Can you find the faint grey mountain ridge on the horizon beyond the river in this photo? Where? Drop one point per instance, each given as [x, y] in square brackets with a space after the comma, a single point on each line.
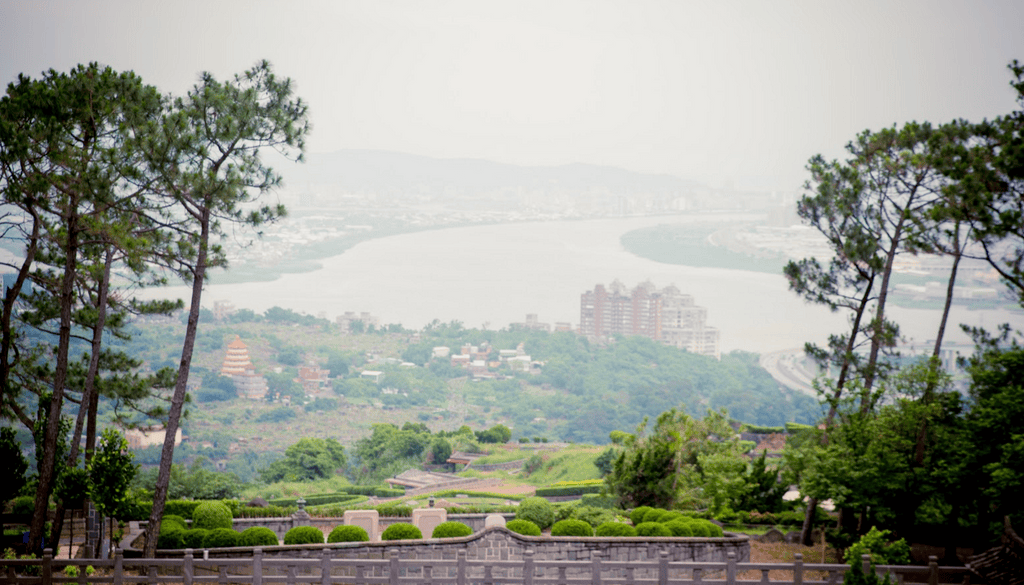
[382, 171]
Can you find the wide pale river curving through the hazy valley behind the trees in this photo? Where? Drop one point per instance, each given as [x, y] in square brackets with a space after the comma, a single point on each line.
[495, 275]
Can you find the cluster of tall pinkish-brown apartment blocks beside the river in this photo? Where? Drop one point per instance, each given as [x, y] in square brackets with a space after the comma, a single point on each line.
[667, 316]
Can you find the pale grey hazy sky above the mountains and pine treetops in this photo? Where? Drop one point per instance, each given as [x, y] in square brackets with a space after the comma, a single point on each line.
[715, 92]
